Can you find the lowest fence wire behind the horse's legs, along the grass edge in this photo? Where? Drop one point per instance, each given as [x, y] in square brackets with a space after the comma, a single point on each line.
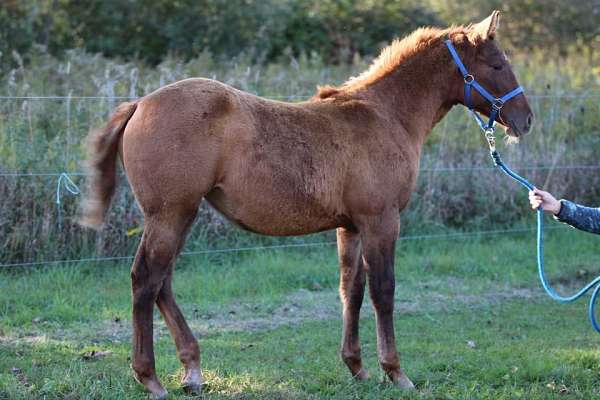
[441, 236]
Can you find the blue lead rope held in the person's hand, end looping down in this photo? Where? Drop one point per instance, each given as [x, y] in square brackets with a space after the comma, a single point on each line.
[540, 251]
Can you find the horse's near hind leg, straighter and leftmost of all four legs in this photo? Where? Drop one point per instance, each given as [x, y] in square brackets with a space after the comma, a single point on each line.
[162, 239]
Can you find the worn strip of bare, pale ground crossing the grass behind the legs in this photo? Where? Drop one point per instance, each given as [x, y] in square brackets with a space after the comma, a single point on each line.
[301, 306]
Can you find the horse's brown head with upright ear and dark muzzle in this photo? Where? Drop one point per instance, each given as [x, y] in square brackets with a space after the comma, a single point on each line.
[488, 64]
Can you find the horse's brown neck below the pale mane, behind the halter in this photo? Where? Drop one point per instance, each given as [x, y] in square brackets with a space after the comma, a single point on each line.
[416, 95]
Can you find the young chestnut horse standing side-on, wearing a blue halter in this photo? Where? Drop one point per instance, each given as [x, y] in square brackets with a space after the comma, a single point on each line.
[346, 159]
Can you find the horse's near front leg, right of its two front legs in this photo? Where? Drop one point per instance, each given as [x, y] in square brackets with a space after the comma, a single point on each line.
[378, 238]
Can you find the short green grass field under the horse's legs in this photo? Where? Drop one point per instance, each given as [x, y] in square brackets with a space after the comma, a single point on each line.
[471, 319]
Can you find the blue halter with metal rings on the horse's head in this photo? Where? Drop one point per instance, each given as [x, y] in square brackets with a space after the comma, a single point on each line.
[470, 83]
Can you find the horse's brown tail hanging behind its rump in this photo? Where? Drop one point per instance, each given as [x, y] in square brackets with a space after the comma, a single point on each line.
[102, 152]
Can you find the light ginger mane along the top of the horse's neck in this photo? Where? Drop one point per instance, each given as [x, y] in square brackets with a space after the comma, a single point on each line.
[390, 58]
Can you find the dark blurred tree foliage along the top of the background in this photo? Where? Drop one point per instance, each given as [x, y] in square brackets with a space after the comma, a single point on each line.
[266, 30]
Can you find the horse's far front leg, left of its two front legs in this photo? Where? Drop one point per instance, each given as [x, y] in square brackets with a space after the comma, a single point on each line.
[352, 289]
